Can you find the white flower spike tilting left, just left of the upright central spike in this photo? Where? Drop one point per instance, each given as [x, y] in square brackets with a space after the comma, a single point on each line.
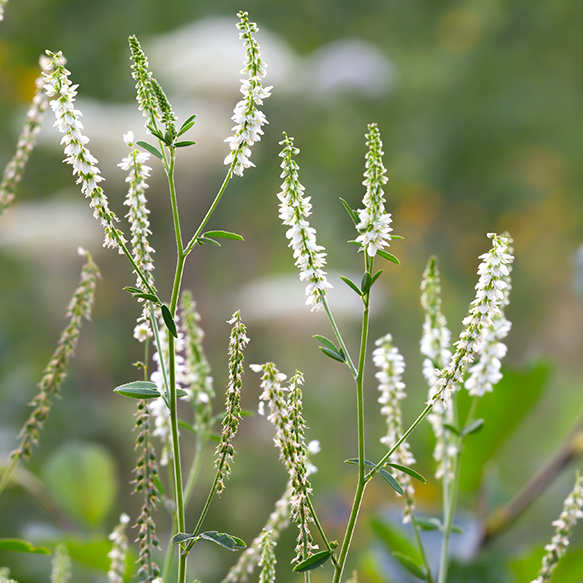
[293, 210]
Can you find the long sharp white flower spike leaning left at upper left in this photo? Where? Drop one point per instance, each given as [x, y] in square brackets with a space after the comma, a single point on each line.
[59, 88]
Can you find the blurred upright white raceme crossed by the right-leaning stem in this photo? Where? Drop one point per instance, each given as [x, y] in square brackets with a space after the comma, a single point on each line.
[435, 347]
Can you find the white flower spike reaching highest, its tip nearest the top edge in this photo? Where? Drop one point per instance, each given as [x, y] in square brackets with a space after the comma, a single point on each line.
[248, 119]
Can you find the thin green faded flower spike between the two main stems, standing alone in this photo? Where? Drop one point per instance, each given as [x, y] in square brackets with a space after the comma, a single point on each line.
[225, 450]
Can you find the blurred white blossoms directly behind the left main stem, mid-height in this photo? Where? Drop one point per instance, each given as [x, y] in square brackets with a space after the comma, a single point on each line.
[158, 407]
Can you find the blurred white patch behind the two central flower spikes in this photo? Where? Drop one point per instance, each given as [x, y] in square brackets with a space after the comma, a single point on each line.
[283, 296]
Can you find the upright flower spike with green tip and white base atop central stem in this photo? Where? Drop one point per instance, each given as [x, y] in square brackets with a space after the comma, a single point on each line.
[375, 222]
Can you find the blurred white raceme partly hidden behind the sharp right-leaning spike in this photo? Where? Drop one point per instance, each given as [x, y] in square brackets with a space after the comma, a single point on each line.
[486, 372]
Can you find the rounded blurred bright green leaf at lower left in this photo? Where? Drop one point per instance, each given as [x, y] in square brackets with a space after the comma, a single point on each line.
[83, 479]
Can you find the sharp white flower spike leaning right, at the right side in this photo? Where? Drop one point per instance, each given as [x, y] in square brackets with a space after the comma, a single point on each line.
[489, 296]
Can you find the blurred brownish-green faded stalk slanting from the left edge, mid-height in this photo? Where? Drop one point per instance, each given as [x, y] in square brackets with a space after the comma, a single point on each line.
[54, 374]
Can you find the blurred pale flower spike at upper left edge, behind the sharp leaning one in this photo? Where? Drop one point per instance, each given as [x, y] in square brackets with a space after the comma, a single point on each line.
[26, 142]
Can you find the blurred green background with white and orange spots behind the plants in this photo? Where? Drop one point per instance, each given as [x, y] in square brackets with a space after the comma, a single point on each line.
[479, 107]
